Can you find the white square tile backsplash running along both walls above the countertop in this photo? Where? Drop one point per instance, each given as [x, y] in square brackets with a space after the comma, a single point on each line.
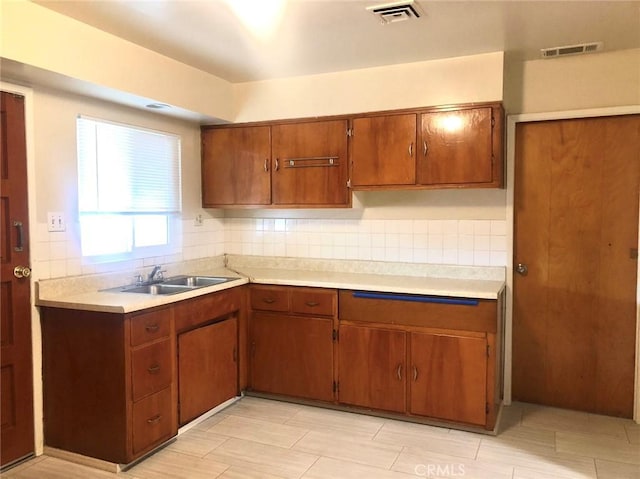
[452, 242]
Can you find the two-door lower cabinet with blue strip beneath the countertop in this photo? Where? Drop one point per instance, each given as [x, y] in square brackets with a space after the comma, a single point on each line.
[396, 355]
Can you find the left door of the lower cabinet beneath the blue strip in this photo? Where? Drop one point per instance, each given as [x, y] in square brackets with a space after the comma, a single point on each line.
[372, 368]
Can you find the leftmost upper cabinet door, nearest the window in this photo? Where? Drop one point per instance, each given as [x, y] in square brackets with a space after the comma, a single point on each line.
[236, 166]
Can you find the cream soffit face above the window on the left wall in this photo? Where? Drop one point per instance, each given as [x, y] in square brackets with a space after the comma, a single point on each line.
[40, 38]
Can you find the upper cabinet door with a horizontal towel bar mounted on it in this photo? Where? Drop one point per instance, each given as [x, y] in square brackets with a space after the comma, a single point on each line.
[310, 164]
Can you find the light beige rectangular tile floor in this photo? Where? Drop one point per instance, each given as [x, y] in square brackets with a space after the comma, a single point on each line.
[259, 438]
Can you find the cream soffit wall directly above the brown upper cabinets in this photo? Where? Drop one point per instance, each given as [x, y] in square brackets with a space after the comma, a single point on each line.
[438, 82]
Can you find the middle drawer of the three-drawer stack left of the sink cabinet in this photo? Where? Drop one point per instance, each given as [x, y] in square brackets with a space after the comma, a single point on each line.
[151, 368]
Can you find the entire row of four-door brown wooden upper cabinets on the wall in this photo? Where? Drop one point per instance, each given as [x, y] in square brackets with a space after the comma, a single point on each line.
[310, 163]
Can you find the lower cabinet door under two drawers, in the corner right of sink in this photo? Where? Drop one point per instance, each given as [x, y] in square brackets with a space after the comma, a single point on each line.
[292, 356]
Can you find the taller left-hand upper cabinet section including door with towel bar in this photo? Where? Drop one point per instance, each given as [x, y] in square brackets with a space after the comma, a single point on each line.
[301, 164]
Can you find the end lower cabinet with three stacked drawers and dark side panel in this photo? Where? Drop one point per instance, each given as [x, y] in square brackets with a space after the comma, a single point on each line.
[109, 382]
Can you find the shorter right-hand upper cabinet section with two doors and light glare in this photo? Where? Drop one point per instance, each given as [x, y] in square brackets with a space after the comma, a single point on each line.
[453, 147]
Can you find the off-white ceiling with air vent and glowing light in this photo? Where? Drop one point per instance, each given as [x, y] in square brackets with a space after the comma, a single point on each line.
[318, 36]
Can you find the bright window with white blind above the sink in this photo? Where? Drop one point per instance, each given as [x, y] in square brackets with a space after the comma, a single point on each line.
[129, 194]
